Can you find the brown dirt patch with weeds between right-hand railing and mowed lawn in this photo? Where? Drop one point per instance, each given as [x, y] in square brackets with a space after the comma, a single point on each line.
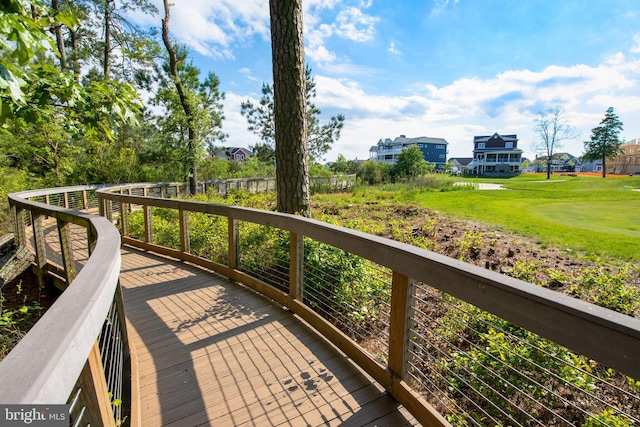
[484, 245]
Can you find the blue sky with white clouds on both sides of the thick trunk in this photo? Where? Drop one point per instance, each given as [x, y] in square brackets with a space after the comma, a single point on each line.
[440, 68]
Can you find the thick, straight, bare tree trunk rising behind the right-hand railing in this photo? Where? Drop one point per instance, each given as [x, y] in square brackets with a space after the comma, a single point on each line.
[292, 170]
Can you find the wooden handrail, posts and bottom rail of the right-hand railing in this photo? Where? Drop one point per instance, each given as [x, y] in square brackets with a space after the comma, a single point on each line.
[580, 326]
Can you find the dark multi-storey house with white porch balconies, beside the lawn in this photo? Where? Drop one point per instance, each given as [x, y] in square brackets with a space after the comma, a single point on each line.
[496, 155]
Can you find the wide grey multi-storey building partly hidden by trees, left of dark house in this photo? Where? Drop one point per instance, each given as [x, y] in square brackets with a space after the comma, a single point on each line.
[434, 150]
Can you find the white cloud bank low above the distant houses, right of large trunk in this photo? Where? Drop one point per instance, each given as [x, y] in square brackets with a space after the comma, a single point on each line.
[506, 103]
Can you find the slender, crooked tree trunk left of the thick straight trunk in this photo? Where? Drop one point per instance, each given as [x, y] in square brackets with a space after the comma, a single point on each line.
[186, 106]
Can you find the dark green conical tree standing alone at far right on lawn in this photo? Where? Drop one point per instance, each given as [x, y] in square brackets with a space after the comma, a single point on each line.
[605, 140]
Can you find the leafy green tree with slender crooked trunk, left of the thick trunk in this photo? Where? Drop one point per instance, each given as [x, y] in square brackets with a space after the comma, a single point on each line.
[194, 108]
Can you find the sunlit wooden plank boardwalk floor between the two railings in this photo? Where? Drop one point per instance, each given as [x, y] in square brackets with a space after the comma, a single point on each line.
[211, 352]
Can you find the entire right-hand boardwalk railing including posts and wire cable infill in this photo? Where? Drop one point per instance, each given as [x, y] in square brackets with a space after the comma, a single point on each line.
[396, 353]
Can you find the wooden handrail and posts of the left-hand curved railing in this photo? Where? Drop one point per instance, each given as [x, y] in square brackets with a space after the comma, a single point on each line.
[46, 365]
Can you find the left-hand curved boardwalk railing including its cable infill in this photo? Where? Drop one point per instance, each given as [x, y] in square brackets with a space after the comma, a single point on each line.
[63, 358]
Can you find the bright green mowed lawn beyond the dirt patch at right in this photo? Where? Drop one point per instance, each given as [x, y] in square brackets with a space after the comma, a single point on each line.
[591, 215]
